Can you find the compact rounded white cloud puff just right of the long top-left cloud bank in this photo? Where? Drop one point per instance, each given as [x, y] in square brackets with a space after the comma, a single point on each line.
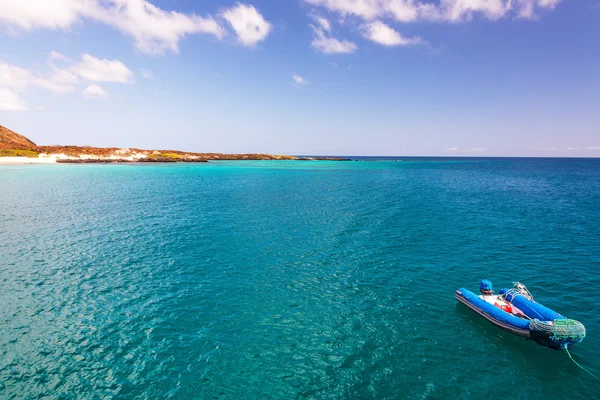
[248, 24]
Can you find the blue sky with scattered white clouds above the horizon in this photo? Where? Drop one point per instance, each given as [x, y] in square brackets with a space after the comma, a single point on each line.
[306, 77]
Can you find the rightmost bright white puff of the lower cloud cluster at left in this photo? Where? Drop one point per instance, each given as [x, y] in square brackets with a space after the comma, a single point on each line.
[102, 70]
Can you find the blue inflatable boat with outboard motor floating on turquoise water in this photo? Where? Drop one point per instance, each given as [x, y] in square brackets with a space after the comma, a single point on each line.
[515, 311]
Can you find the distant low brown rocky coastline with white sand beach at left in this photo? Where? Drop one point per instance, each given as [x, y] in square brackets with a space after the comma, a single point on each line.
[16, 148]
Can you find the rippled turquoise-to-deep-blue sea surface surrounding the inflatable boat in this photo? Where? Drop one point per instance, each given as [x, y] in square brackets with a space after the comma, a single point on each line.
[293, 280]
